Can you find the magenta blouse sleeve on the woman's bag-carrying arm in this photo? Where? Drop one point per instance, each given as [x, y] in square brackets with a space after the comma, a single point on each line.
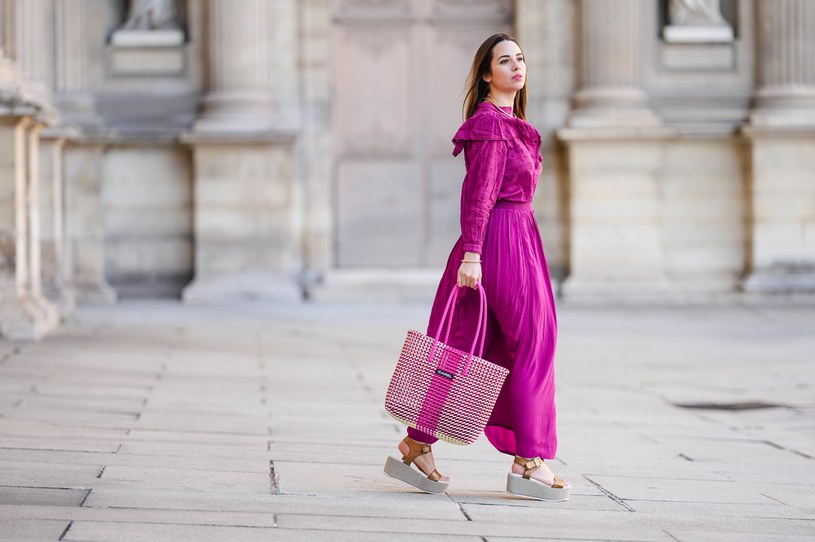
[485, 152]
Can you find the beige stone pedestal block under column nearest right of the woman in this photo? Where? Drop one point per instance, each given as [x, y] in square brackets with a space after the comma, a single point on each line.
[615, 217]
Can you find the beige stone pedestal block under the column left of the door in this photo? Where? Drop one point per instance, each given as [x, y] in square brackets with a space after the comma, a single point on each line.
[244, 224]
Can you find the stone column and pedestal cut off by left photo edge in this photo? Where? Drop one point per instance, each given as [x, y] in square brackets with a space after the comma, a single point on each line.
[24, 107]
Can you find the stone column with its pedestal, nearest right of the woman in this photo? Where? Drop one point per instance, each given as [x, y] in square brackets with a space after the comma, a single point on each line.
[614, 144]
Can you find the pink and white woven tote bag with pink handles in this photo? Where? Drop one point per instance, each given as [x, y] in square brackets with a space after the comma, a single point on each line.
[443, 391]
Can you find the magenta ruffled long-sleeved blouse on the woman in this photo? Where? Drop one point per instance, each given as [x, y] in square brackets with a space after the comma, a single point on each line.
[503, 162]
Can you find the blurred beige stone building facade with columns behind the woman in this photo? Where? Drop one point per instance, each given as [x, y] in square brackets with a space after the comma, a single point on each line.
[285, 149]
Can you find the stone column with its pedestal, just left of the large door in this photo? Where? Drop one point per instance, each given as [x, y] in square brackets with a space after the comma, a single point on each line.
[243, 148]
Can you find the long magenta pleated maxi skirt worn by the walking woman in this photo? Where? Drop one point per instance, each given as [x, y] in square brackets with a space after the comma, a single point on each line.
[521, 330]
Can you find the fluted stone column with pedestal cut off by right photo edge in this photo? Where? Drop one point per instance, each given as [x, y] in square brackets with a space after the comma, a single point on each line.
[781, 130]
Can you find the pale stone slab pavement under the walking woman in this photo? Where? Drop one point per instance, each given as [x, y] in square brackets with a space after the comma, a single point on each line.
[157, 421]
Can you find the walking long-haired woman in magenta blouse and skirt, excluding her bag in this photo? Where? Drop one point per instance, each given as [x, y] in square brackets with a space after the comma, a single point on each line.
[500, 246]
